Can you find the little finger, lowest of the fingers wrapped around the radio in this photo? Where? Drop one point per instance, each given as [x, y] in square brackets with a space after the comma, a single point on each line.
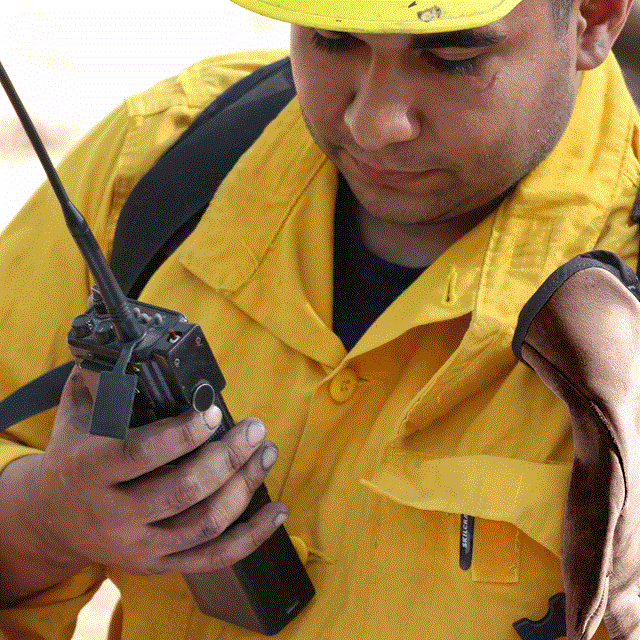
[233, 545]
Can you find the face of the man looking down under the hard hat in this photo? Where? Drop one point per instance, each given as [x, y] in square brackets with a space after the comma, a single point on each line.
[431, 127]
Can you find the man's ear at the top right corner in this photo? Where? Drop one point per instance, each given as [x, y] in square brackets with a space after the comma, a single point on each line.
[599, 23]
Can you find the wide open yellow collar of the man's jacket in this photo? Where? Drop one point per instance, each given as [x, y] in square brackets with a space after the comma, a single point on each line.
[249, 238]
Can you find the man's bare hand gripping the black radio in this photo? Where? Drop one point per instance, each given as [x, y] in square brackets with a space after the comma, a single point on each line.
[124, 503]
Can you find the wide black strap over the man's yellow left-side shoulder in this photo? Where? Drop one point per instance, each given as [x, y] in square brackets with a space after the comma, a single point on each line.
[168, 201]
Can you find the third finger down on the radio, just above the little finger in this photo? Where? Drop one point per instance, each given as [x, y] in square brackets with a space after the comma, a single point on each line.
[211, 516]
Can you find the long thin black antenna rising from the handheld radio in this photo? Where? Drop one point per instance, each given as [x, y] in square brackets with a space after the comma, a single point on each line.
[125, 325]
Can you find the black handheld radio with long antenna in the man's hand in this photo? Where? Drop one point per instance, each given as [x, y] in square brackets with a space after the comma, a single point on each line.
[153, 363]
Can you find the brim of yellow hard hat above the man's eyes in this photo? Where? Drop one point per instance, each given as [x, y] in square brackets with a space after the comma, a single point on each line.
[384, 16]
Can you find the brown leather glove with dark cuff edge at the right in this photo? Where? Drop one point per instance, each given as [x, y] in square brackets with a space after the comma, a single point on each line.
[580, 332]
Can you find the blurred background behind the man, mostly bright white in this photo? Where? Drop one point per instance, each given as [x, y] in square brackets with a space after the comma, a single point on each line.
[72, 63]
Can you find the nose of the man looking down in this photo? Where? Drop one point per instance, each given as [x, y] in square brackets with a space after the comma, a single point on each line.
[382, 109]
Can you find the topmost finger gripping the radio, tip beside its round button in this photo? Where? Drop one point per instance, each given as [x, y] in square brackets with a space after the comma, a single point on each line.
[151, 446]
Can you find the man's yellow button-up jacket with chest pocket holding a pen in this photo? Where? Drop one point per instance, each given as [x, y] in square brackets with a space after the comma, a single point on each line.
[382, 448]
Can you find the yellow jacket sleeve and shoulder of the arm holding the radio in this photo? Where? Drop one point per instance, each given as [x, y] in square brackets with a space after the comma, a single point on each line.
[44, 283]
